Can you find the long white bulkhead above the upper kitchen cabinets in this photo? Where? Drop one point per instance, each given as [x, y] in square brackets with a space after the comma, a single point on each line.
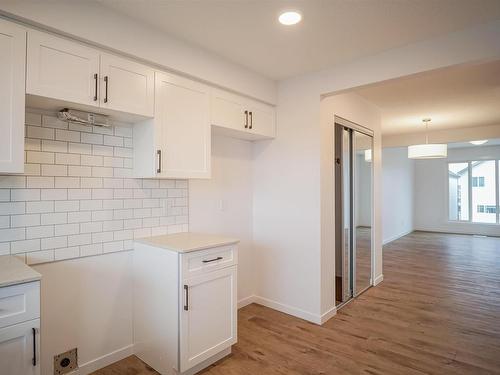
[95, 23]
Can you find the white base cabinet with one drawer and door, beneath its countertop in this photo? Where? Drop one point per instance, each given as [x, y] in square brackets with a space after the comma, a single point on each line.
[185, 307]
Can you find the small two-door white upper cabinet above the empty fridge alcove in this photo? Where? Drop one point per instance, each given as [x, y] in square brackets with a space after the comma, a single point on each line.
[240, 117]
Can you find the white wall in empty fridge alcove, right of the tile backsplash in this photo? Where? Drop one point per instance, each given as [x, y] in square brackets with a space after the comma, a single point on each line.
[223, 204]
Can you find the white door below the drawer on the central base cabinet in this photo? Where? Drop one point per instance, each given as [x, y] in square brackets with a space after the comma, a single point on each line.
[208, 316]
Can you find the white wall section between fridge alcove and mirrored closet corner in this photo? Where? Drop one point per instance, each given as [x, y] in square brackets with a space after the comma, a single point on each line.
[286, 205]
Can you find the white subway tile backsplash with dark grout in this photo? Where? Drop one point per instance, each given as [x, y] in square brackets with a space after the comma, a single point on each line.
[77, 196]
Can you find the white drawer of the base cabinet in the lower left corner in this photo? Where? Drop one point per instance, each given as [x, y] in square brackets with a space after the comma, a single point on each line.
[19, 303]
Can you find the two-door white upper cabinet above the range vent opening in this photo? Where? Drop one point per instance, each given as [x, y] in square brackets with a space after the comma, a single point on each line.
[73, 73]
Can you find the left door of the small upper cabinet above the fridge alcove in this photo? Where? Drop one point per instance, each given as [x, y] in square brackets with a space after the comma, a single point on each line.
[227, 111]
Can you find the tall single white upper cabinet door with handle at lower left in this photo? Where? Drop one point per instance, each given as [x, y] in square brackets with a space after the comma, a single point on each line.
[182, 124]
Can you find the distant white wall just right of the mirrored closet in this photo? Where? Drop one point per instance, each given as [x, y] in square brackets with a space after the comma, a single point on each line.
[398, 181]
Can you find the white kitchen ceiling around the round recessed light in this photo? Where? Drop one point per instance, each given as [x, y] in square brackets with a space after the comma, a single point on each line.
[332, 31]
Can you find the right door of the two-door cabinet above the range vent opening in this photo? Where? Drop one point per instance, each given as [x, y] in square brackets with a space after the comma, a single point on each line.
[126, 86]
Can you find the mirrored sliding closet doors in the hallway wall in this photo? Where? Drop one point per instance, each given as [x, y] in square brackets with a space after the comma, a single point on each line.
[353, 210]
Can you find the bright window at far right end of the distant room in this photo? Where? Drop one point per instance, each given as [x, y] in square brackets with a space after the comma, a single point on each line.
[473, 191]
